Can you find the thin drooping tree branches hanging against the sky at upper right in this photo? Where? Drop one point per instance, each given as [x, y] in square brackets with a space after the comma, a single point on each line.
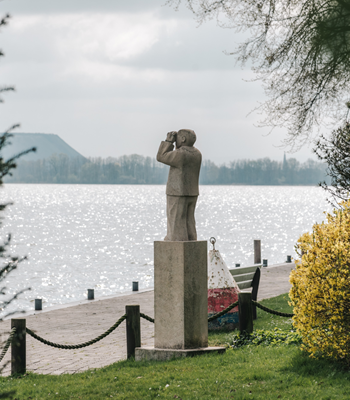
[300, 50]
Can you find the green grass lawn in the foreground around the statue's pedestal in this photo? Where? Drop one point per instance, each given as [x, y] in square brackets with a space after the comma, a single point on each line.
[250, 372]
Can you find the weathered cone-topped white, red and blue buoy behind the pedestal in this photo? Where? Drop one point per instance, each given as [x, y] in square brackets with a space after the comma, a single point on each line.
[222, 291]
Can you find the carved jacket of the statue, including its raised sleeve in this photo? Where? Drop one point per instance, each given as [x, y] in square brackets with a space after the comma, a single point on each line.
[185, 164]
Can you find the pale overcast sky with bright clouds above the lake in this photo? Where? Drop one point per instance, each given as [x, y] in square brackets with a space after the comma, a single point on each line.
[113, 77]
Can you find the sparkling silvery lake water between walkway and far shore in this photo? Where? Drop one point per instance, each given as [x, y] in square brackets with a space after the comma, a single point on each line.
[101, 236]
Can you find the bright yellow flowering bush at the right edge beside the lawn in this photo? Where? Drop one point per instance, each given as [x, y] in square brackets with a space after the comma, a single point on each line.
[320, 290]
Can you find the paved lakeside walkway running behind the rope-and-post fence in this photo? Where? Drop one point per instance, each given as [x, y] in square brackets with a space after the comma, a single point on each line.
[80, 323]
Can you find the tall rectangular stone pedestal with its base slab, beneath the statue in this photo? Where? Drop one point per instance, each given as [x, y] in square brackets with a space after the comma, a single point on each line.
[180, 302]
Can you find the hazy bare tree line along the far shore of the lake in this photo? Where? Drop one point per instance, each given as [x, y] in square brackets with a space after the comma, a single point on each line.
[136, 169]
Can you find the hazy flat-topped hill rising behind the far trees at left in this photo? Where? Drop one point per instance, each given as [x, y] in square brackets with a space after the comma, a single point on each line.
[46, 144]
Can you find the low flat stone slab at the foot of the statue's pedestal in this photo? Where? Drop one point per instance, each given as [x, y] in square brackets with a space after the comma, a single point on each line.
[151, 353]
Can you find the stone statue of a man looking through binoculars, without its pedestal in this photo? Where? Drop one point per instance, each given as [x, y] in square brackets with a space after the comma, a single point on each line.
[182, 186]
